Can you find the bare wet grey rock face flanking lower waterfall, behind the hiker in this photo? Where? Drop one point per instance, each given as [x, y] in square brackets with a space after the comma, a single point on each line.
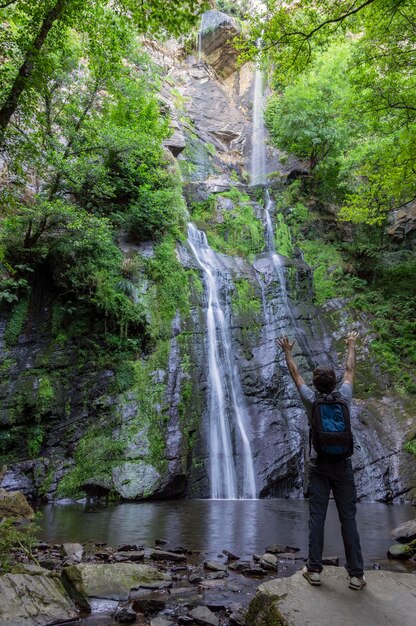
[278, 427]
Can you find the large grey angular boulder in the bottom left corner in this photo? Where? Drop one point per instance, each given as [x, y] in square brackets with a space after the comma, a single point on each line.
[38, 599]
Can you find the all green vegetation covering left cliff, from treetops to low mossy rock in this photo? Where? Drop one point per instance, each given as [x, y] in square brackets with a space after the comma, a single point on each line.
[88, 184]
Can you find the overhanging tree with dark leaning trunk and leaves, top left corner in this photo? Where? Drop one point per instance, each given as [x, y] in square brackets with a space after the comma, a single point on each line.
[45, 20]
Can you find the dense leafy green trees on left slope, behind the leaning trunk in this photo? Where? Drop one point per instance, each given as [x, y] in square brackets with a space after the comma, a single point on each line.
[92, 136]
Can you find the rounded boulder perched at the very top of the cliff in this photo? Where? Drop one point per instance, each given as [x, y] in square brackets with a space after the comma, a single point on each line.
[217, 33]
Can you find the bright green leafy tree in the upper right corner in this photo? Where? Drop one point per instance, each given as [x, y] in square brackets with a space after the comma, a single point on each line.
[379, 168]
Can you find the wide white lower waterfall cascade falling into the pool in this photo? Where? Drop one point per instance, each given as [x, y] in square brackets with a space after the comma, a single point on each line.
[228, 417]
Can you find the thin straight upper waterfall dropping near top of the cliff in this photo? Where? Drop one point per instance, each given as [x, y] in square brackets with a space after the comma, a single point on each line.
[258, 146]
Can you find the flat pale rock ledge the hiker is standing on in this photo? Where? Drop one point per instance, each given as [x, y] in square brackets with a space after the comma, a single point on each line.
[388, 598]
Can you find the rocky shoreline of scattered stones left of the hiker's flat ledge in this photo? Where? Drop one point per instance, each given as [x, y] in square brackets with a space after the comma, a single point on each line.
[145, 586]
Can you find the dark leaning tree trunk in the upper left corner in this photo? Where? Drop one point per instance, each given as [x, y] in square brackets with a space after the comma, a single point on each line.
[26, 69]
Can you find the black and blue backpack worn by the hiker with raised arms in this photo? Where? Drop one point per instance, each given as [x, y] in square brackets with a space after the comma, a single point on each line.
[330, 431]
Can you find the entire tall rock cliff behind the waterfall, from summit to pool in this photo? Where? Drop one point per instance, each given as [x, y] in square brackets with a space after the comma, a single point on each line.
[60, 394]
